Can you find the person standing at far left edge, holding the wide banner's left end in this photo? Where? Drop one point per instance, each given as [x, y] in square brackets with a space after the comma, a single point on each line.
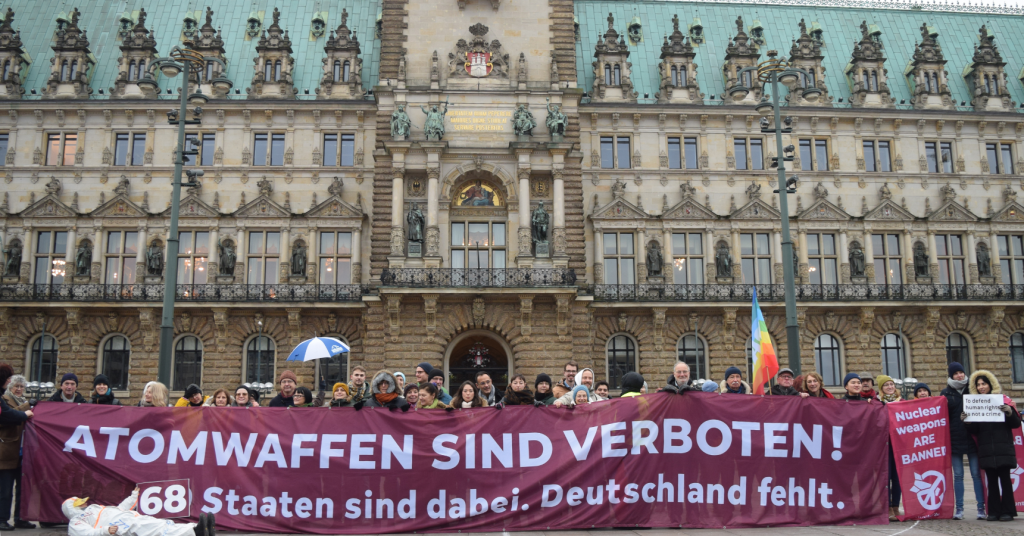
[16, 410]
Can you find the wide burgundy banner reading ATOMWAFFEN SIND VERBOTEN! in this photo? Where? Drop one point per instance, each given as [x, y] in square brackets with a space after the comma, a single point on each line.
[659, 461]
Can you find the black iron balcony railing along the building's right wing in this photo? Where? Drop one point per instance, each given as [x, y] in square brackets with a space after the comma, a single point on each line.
[771, 294]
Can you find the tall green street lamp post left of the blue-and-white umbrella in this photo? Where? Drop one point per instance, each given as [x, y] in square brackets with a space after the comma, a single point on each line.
[181, 61]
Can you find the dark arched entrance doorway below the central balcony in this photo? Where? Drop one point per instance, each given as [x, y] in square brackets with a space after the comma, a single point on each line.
[475, 352]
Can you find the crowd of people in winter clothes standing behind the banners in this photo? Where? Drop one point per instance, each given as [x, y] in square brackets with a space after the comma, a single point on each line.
[989, 446]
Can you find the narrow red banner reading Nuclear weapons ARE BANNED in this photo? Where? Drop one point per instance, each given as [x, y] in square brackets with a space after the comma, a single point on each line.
[920, 433]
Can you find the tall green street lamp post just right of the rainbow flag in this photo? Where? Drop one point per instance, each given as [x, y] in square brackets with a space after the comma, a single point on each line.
[773, 72]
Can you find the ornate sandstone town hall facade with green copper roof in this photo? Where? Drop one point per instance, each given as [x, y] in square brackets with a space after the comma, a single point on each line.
[504, 187]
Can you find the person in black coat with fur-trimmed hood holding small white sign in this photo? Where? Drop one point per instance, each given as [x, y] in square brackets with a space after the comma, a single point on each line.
[997, 453]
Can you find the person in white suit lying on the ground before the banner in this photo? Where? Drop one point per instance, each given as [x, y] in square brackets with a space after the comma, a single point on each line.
[122, 520]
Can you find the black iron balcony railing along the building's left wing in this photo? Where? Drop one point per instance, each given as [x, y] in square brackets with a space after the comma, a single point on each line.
[284, 294]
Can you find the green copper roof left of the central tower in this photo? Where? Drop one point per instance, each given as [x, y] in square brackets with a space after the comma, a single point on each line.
[36, 20]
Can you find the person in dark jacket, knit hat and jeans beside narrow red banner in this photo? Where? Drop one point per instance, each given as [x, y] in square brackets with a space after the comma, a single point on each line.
[961, 442]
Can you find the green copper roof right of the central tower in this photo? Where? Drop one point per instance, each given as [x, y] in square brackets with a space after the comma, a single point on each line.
[901, 32]
